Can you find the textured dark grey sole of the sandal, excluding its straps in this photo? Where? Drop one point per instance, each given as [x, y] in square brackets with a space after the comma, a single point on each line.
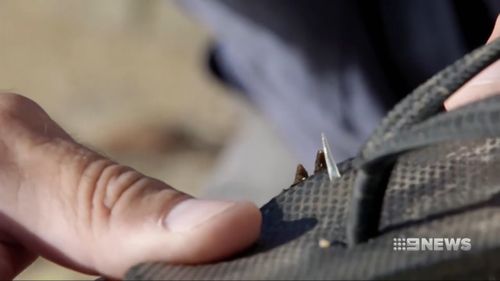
[450, 190]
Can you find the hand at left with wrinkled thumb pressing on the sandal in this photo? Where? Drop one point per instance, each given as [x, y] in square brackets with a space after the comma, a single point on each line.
[73, 206]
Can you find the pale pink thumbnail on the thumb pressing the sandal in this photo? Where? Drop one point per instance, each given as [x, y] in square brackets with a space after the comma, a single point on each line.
[191, 213]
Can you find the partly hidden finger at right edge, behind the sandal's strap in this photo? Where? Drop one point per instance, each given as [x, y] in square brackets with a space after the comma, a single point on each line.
[485, 84]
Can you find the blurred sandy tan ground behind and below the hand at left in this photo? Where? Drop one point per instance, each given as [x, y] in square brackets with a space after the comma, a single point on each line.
[124, 77]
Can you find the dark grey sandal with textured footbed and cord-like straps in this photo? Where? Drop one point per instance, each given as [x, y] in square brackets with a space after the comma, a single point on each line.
[419, 202]
